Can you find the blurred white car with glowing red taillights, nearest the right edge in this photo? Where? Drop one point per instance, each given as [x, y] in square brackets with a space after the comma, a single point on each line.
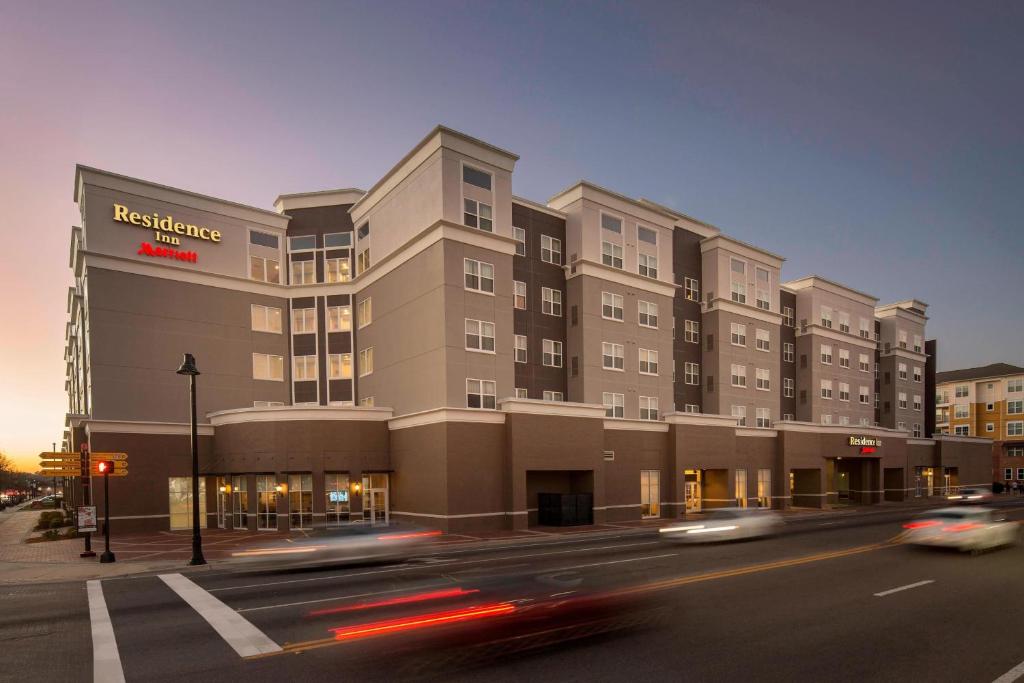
[963, 529]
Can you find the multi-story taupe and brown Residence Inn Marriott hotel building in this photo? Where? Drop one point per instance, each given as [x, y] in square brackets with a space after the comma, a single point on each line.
[439, 351]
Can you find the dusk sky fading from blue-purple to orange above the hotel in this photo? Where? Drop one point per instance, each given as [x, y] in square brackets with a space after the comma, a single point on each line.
[881, 147]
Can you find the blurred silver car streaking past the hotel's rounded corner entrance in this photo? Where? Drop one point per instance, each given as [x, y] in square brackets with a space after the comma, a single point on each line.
[350, 544]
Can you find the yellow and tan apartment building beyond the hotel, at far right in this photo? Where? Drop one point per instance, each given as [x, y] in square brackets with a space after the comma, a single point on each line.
[986, 402]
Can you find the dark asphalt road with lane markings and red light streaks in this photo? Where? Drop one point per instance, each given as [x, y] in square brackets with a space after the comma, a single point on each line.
[801, 607]
